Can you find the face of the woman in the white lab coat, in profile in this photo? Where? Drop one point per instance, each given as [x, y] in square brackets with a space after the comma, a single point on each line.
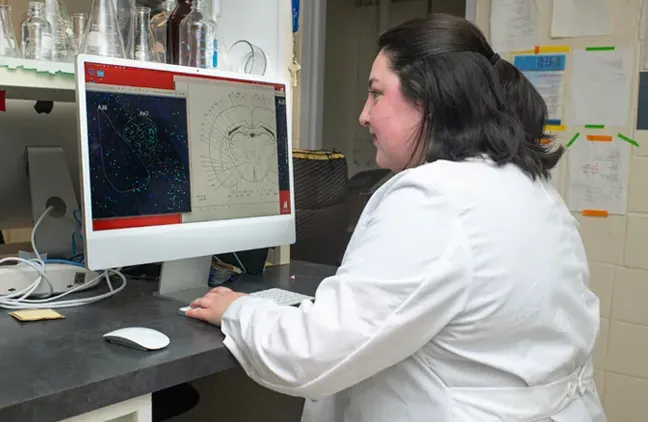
[390, 118]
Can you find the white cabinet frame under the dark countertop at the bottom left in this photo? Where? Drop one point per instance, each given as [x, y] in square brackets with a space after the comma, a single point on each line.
[133, 410]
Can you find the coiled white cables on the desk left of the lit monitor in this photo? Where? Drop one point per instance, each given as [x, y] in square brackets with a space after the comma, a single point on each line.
[18, 300]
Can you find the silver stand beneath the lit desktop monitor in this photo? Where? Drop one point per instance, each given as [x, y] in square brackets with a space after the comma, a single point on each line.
[185, 280]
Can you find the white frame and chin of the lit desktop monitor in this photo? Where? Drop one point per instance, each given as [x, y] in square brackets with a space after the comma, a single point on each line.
[186, 241]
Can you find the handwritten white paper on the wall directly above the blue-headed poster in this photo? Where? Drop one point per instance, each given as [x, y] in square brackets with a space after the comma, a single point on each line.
[514, 25]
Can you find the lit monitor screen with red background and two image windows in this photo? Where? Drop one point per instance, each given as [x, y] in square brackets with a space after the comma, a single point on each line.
[172, 148]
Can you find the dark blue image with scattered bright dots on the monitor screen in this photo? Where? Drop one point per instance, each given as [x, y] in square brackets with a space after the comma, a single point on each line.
[139, 155]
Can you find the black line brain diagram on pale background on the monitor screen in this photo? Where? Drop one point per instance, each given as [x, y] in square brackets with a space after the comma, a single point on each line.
[235, 157]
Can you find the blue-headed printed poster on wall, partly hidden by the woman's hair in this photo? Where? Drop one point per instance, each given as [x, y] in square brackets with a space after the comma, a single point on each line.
[547, 74]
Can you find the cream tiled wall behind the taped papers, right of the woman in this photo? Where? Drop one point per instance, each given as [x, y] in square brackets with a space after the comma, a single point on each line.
[617, 246]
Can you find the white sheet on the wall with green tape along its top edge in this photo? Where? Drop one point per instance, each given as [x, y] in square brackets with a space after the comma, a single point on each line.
[599, 92]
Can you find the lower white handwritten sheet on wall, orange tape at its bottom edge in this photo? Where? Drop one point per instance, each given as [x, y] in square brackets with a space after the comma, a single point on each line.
[598, 175]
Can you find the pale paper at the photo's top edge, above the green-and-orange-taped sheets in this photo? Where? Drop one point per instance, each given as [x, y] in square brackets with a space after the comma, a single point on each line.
[581, 18]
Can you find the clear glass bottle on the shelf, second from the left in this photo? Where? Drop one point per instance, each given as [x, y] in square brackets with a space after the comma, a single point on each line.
[36, 33]
